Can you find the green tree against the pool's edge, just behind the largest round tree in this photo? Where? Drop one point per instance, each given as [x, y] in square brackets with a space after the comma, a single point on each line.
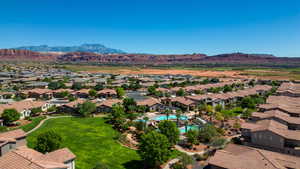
[170, 130]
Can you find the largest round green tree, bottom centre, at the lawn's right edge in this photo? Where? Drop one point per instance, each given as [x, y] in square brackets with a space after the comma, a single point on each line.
[154, 148]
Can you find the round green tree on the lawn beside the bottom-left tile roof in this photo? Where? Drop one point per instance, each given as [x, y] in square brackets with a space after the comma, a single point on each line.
[48, 141]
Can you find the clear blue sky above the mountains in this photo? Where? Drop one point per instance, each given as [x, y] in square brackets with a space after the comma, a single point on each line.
[156, 26]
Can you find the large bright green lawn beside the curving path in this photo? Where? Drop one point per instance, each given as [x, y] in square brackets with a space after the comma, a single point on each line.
[92, 141]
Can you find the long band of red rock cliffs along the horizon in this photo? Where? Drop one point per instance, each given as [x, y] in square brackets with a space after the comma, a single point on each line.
[231, 59]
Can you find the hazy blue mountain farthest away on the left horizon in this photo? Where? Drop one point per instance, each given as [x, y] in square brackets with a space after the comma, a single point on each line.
[94, 48]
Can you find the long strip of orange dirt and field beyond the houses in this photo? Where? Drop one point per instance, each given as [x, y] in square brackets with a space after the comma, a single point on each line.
[272, 74]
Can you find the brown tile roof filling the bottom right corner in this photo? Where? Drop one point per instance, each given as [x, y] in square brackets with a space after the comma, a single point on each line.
[242, 157]
